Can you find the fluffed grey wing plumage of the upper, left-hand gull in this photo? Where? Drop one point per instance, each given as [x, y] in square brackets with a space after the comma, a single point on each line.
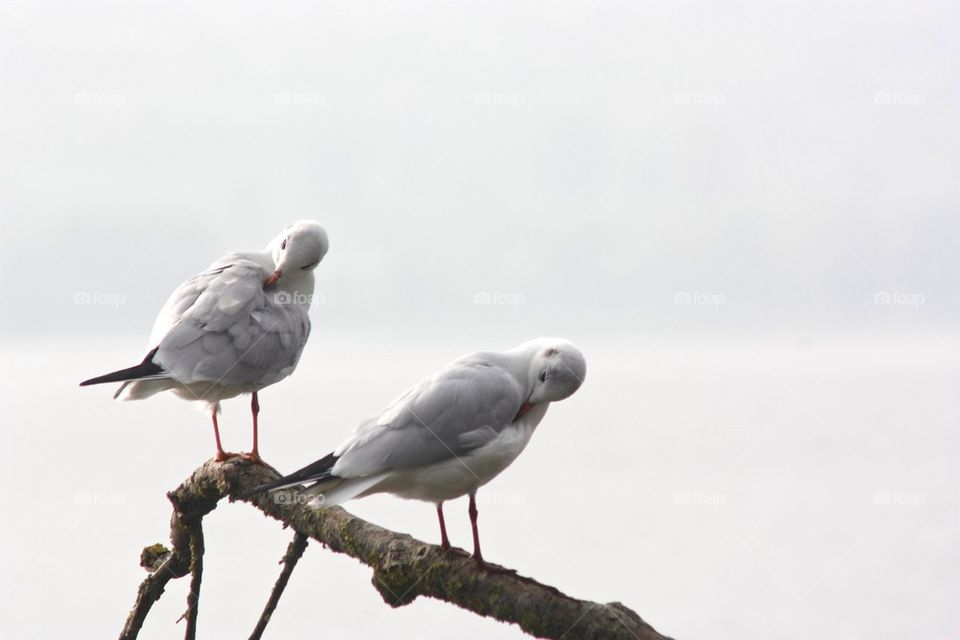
[221, 326]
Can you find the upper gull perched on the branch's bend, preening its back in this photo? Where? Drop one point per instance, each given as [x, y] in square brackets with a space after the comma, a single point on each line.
[235, 328]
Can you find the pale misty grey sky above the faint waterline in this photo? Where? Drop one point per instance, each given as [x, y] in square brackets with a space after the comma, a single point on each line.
[592, 159]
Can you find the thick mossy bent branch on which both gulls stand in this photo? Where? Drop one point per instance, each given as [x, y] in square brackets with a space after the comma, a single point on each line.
[403, 568]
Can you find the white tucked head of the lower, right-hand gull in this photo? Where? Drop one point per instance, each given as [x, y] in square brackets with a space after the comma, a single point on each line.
[557, 369]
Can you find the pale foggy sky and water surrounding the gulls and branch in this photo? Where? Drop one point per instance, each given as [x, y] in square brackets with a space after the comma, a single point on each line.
[745, 215]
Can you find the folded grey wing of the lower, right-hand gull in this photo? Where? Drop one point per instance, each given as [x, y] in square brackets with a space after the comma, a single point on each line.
[447, 416]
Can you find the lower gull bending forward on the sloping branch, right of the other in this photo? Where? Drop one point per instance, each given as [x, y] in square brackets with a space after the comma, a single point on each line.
[450, 434]
